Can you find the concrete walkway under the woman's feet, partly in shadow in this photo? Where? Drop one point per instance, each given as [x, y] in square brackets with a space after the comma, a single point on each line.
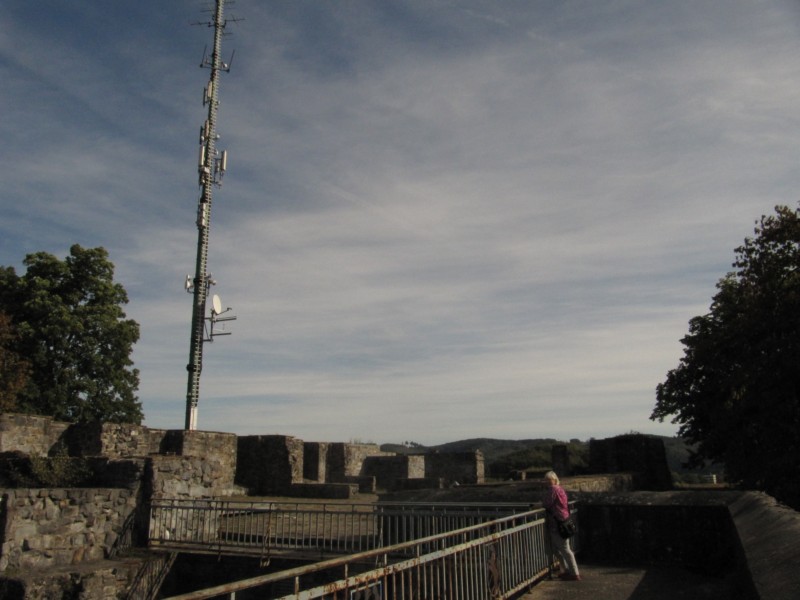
[632, 583]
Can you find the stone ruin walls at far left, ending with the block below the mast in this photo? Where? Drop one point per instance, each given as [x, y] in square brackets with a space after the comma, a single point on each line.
[42, 528]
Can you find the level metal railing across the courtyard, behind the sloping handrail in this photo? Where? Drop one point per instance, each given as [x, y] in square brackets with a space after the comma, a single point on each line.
[267, 528]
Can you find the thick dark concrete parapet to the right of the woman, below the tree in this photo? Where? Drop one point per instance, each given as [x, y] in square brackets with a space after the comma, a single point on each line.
[746, 537]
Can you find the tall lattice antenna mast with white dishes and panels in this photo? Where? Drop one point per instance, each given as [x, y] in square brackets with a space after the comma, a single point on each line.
[211, 167]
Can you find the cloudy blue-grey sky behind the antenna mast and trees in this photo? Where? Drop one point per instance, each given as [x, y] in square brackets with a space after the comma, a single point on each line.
[441, 219]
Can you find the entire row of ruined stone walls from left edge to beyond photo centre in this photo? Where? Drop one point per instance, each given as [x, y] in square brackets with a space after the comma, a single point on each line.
[44, 527]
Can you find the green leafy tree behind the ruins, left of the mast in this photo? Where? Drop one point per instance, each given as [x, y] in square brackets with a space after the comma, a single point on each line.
[72, 330]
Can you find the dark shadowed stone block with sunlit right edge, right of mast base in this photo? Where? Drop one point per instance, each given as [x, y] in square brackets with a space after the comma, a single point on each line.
[269, 464]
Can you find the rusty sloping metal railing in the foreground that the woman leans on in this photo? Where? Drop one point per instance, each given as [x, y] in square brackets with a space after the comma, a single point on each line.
[493, 560]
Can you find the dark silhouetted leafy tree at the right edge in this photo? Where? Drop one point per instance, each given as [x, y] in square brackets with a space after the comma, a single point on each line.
[735, 391]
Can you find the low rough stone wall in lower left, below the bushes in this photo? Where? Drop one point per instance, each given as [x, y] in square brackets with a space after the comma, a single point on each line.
[44, 528]
